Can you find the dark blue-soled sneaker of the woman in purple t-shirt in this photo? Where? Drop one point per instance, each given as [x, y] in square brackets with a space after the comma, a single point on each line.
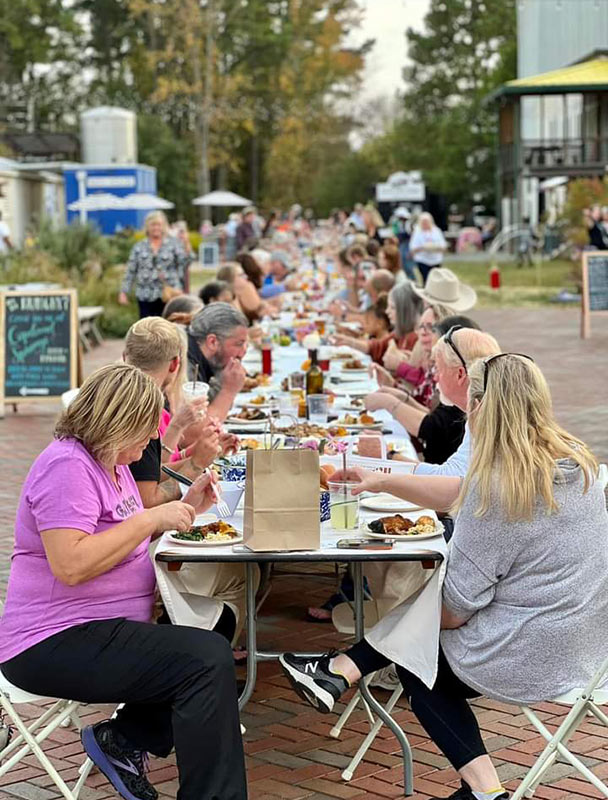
[124, 767]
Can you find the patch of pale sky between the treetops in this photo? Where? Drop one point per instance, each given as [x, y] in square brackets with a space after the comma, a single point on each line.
[386, 21]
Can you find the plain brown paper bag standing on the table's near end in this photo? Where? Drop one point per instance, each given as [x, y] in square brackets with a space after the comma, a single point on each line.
[282, 500]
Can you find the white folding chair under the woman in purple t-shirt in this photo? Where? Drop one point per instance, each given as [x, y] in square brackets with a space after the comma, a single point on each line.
[31, 734]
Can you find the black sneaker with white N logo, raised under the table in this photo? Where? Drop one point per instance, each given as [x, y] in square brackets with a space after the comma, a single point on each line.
[313, 680]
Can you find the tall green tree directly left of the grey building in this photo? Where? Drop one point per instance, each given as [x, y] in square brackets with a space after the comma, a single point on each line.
[467, 48]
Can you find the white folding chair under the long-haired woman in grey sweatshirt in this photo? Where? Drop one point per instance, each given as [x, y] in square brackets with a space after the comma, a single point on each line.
[584, 702]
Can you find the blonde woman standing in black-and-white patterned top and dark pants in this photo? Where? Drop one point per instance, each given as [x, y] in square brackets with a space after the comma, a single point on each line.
[157, 268]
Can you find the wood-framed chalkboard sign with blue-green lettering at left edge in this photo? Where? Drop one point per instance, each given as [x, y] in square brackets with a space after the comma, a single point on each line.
[39, 332]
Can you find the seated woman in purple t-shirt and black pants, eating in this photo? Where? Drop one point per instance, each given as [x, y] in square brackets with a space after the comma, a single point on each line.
[76, 620]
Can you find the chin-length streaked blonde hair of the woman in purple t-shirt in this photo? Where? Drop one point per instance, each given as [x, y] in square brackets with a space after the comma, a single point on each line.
[117, 406]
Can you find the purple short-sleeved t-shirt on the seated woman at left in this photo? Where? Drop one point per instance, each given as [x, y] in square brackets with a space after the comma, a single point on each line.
[67, 488]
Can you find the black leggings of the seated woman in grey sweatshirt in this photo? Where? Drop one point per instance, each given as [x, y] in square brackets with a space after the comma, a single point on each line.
[443, 711]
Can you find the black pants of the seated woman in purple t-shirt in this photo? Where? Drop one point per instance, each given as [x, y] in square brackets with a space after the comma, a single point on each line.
[178, 685]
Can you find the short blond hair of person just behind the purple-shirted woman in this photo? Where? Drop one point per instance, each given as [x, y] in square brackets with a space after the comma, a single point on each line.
[151, 343]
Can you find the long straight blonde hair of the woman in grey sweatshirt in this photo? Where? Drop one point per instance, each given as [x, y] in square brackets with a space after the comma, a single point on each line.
[516, 440]
